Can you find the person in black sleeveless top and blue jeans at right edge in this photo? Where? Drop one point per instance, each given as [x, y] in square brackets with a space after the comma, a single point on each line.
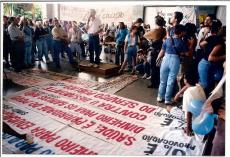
[213, 46]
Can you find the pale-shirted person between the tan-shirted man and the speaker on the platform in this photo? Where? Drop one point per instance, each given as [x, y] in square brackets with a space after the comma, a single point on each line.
[74, 36]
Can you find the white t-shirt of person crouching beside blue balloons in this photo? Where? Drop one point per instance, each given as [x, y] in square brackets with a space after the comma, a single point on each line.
[192, 93]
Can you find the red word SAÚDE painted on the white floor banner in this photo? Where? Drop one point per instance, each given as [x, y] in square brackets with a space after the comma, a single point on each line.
[116, 135]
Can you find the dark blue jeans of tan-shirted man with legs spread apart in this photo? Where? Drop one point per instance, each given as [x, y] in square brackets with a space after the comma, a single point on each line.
[60, 47]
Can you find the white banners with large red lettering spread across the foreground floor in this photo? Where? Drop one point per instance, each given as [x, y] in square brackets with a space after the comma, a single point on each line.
[96, 123]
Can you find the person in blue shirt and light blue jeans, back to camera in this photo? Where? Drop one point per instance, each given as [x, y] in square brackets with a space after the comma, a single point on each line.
[172, 49]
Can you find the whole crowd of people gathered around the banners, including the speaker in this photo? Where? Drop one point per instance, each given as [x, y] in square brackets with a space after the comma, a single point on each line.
[180, 61]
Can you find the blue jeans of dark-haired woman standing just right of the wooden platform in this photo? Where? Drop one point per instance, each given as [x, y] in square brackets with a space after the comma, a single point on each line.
[131, 56]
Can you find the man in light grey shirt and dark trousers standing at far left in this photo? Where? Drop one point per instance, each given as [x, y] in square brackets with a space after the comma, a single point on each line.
[17, 39]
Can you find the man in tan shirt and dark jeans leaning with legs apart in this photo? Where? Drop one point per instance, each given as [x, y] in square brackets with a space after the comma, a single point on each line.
[60, 43]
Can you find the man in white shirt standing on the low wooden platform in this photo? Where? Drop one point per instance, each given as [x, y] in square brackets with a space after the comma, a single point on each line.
[94, 28]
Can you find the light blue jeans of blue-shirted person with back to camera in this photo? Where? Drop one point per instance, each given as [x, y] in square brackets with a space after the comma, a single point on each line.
[168, 73]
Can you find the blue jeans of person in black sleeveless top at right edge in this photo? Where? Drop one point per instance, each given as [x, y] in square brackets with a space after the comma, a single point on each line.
[204, 72]
